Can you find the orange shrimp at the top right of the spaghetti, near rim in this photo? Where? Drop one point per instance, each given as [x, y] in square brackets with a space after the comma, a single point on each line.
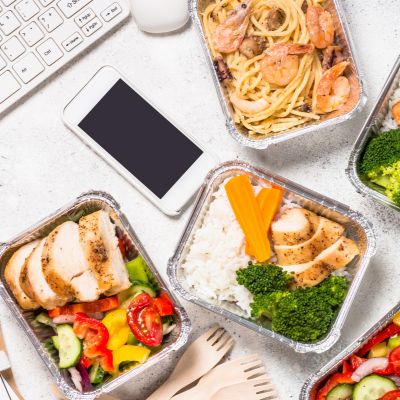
[320, 27]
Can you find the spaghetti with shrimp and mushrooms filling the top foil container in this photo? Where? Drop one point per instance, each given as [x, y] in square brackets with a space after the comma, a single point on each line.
[277, 60]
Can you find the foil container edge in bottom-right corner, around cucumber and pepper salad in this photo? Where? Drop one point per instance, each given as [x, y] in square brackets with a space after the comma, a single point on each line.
[310, 388]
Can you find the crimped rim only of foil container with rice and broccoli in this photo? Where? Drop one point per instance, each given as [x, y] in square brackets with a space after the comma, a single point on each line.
[334, 333]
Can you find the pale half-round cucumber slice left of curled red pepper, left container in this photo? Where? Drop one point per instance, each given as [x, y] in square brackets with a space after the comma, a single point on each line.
[70, 346]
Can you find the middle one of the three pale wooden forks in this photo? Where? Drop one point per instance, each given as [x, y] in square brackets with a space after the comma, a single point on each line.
[229, 373]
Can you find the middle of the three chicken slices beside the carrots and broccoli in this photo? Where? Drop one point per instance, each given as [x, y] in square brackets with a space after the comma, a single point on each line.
[327, 233]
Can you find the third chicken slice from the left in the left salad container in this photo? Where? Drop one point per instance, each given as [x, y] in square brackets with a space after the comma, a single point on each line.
[65, 266]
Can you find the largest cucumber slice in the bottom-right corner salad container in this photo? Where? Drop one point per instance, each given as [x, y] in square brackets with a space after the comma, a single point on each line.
[373, 387]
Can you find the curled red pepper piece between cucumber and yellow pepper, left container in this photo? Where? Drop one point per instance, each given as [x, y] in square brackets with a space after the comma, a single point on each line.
[95, 338]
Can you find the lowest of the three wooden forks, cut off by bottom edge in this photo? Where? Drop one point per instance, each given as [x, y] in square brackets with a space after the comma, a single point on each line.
[255, 389]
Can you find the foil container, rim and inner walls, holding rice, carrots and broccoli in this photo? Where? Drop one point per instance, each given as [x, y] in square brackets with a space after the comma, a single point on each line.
[356, 227]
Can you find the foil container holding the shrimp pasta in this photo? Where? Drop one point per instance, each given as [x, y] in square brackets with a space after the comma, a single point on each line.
[356, 101]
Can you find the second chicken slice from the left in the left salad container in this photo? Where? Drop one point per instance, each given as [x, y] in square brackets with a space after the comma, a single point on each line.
[34, 284]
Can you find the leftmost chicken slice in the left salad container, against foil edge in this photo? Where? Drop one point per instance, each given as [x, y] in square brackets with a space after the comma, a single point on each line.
[12, 273]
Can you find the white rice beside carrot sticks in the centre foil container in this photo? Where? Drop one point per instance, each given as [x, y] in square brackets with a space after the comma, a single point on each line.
[216, 252]
